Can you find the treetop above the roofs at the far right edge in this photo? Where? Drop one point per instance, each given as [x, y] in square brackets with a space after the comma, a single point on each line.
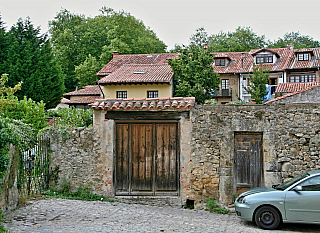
[295, 39]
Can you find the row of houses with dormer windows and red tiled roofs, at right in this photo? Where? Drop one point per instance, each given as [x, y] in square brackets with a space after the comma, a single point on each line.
[285, 65]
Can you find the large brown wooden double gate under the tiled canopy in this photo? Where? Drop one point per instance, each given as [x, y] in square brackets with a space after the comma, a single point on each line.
[146, 160]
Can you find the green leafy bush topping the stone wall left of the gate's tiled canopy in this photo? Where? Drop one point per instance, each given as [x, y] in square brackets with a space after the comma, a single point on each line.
[72, 117]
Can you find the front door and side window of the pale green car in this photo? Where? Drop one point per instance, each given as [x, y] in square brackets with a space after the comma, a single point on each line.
[304, 205]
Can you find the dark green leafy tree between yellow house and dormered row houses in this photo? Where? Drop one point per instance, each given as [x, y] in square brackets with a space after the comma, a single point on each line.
[194, 74]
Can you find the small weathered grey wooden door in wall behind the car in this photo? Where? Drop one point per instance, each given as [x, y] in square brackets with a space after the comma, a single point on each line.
[248, 161]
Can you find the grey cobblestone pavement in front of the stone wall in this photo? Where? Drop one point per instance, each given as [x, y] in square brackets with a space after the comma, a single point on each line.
[58, 215]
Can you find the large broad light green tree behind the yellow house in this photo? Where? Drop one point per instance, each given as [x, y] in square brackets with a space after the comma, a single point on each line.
[75, 36]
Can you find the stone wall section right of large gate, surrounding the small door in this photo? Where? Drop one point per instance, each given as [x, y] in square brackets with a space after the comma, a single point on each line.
[291, 144]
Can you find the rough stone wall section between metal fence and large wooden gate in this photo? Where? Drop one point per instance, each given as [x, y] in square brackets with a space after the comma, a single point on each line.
[78, 155]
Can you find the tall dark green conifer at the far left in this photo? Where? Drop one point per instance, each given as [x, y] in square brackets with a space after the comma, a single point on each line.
[30, 60]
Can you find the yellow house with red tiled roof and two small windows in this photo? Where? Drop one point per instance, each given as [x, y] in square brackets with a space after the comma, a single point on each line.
[137, 76]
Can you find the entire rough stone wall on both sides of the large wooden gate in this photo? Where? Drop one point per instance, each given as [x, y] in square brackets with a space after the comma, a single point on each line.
[291, 145]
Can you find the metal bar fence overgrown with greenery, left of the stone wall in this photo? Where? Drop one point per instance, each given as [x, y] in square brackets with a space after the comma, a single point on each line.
[34, 168]
